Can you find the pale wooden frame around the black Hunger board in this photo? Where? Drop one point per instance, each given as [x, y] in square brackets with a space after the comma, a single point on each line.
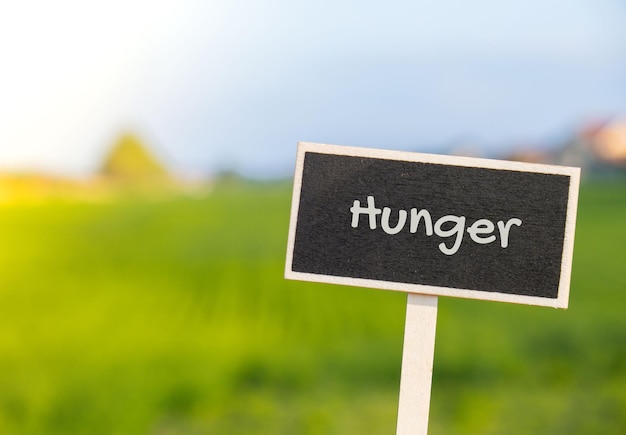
[568, 243]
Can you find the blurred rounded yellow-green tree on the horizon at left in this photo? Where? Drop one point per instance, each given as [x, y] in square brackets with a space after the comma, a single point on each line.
[131, 161]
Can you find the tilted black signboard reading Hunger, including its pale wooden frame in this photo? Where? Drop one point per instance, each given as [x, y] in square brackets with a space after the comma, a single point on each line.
[437, 225]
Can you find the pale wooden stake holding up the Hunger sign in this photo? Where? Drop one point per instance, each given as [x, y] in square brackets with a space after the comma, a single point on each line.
[417, 364]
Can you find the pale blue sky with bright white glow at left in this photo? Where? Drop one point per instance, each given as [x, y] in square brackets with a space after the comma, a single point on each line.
[214, 85]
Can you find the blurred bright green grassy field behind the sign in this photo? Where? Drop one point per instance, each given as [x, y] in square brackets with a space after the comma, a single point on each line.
[171, 316]
